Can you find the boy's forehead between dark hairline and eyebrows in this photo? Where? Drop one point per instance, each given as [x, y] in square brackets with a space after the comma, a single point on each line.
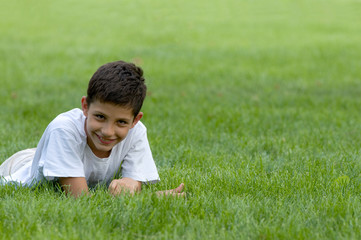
[111, 109]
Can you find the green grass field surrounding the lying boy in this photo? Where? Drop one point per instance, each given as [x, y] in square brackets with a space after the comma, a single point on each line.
[254, 105]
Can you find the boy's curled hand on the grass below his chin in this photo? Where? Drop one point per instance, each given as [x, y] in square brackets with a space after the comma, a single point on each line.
[123, 185]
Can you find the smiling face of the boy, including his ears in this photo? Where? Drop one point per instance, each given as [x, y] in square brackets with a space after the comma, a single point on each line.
[106, 125]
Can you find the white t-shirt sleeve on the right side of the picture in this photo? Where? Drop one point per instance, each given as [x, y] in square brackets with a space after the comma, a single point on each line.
[138, 163]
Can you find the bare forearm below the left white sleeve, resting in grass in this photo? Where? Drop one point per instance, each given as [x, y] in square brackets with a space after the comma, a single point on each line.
[74, 186]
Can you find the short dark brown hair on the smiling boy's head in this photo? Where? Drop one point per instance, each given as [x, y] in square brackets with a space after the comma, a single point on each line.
[120, 83]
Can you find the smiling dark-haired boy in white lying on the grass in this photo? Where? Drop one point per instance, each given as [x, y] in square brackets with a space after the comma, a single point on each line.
[83, 148]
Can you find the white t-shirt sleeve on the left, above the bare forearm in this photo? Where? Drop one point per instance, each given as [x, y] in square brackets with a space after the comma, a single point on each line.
[62, 156]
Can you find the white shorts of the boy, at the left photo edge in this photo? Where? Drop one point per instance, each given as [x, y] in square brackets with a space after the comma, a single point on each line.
[16, 161]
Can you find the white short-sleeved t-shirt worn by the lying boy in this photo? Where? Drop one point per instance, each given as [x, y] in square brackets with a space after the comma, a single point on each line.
[63, 152]
